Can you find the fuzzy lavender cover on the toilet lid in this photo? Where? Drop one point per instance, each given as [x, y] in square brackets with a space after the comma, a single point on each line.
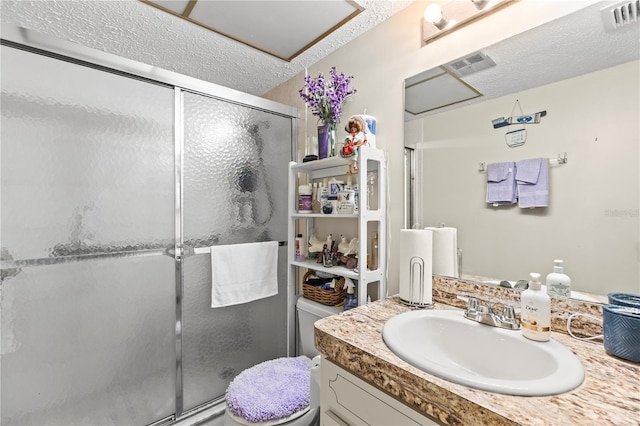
[271, 390]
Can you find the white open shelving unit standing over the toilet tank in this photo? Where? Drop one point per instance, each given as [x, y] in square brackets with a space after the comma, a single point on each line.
[370, 218]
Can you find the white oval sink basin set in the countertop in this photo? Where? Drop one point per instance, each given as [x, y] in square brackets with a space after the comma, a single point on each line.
[447, 345]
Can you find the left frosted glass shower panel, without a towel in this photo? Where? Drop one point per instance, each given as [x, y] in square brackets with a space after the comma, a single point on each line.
[87, 218]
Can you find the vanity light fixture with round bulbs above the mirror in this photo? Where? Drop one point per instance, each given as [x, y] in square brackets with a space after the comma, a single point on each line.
[441, 19]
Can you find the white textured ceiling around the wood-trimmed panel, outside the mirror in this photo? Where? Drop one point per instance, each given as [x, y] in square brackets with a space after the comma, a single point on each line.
[136, 31]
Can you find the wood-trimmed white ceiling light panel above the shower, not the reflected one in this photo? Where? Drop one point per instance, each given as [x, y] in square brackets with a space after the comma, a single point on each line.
[299, 24]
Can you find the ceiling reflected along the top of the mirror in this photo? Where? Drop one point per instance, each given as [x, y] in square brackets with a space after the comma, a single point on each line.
[573, 45]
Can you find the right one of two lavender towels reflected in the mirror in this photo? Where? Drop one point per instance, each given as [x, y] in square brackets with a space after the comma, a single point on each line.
[532, 177]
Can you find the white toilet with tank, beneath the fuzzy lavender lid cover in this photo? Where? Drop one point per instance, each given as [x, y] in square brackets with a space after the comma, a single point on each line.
[308, 312]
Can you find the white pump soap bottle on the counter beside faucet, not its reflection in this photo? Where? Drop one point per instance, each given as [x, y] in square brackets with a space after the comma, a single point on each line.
[535, 313]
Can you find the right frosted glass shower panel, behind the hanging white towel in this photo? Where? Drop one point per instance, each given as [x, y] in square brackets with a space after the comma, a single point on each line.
[235, 189]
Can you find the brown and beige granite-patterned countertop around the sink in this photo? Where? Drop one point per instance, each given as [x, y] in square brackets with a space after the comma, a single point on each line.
[609, 395]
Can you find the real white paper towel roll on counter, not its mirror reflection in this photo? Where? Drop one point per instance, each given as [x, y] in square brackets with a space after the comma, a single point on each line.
[415, 255]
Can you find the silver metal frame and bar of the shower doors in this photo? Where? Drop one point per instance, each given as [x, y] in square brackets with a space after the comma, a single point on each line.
[29, 40]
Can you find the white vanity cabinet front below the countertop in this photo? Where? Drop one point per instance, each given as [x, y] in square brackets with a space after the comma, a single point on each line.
[346, 400]
